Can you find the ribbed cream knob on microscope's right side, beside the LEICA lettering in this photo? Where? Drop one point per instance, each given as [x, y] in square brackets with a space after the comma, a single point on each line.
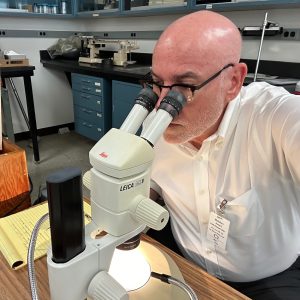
[152, 214]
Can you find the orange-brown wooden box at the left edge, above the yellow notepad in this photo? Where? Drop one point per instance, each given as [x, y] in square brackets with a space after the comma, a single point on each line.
[14, 182]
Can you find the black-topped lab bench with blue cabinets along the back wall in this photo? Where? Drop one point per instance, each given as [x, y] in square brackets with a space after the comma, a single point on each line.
[121, 86]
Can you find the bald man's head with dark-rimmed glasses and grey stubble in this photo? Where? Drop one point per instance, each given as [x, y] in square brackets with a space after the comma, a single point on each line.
[194, 50]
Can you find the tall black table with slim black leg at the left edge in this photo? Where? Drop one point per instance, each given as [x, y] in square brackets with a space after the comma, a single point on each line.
[26, 72]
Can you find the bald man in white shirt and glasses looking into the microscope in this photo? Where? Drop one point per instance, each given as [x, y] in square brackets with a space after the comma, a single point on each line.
[227, 166]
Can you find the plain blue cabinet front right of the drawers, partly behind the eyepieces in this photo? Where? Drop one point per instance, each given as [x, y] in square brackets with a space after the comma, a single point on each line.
[123, 97]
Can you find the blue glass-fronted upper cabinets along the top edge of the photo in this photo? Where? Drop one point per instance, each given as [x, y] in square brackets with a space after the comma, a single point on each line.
[113, 8]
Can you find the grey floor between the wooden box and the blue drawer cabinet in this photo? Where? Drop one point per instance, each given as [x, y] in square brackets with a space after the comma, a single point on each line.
[57, 151]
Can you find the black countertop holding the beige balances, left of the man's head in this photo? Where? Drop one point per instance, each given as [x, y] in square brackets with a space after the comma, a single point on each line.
[132, 73]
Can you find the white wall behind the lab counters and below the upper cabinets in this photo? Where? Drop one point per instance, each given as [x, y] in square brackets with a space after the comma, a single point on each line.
[52, 94]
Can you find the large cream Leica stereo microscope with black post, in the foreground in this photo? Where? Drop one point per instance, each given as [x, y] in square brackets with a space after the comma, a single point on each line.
[119, 182]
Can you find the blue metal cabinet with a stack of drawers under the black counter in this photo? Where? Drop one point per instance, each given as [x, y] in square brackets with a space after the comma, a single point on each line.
[92, 105]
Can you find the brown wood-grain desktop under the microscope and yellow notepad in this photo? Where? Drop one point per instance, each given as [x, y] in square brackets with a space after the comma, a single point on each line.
[15, 285]
